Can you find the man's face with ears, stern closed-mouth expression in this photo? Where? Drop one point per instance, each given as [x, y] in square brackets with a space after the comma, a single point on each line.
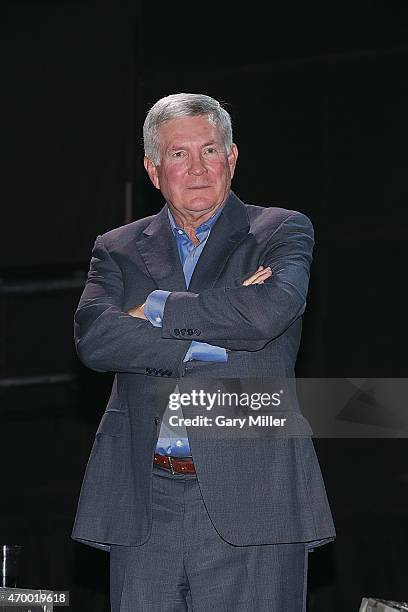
[195, 172]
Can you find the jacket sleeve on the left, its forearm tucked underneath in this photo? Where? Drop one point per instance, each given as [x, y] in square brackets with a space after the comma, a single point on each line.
[110, 340]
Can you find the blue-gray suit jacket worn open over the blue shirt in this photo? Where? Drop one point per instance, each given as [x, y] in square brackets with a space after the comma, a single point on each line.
[256, 490]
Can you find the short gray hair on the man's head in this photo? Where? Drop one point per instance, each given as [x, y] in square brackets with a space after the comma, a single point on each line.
[183, 105]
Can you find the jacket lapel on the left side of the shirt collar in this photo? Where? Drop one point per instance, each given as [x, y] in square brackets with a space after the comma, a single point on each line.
[158, 249]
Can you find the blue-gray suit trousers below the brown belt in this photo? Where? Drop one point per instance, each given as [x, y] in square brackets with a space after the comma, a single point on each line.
[186, 566]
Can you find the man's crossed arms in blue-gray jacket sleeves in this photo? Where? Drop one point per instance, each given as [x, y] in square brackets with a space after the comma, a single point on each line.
[245, 316]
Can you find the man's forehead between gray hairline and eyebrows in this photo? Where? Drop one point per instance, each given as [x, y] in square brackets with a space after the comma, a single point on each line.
[189, 130]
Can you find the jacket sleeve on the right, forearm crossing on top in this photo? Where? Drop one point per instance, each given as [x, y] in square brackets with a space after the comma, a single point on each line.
[248, 317]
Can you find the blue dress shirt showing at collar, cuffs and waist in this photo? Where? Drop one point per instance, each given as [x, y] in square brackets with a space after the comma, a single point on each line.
[174, 441]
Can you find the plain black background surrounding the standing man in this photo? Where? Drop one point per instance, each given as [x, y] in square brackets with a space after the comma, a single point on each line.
[318, 97]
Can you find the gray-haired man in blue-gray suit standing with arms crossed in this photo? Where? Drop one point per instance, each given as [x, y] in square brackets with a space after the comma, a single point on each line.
[208, 287]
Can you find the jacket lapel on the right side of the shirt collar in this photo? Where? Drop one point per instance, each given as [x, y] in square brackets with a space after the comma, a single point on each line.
[230, 229]
